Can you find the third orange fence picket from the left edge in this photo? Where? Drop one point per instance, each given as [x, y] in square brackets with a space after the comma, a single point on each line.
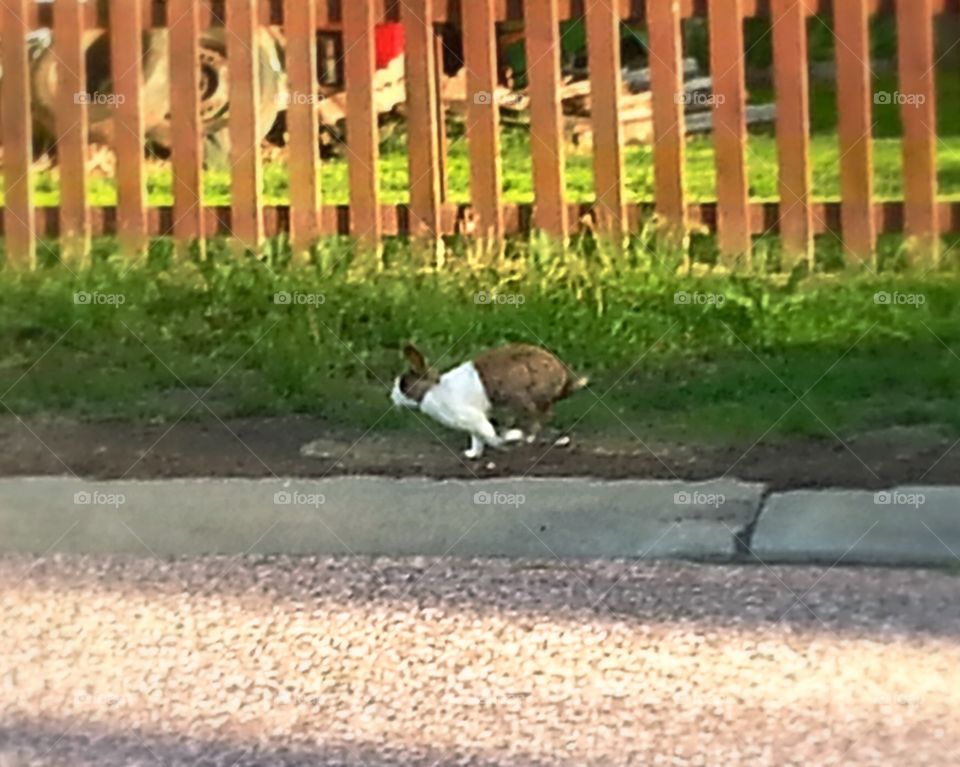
[126, 53]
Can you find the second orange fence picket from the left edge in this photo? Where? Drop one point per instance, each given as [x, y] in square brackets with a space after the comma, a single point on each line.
[71, 120]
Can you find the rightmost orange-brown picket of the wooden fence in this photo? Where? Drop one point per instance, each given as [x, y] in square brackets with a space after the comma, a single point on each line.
[918, 91]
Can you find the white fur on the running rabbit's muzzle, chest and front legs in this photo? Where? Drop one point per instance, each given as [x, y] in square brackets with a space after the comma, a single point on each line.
[459, 400]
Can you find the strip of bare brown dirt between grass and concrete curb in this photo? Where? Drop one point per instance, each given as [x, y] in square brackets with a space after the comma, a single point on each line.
[266, 447]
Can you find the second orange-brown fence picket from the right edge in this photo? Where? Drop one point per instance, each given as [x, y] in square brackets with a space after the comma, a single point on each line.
[854, 100]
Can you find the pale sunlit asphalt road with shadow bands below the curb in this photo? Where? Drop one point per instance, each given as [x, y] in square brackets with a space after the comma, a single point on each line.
[276, 661]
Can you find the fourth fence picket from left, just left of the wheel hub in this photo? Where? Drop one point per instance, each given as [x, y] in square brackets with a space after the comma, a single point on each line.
[186, 128]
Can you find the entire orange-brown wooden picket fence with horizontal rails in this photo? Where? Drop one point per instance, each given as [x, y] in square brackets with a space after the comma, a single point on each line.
[857, 218]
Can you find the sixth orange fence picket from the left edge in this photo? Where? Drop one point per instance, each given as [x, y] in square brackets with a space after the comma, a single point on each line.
[303, 121]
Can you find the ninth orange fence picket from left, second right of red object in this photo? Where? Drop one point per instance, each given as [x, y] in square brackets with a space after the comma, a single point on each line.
[483, 116]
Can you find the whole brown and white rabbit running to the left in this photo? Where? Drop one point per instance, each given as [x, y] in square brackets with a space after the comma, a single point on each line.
[524, 380]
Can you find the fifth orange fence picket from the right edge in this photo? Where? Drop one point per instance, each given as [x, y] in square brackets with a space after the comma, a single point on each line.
[669, 132]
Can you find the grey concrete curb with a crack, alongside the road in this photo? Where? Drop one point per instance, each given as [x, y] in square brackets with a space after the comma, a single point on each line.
[723, 520]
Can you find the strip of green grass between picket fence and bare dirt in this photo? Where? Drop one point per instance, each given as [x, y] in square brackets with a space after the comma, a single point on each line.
[666, 369]
